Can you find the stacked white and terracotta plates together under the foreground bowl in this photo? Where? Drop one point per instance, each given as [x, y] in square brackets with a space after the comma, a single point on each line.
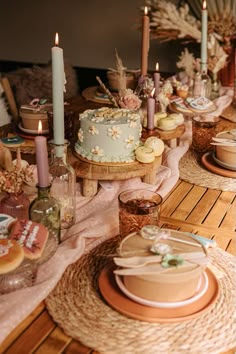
[115, 294]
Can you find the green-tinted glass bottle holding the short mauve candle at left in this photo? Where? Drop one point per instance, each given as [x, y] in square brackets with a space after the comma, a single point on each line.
[46, 210]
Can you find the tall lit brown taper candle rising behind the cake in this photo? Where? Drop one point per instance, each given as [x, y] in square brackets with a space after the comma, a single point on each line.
[145, 43]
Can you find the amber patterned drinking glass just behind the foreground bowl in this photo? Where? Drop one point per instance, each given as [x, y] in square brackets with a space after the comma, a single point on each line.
[138, 208]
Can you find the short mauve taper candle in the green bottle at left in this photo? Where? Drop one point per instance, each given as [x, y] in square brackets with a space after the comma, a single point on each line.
[42, 161]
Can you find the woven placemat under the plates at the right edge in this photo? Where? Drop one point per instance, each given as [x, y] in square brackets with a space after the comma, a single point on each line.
[191, 170]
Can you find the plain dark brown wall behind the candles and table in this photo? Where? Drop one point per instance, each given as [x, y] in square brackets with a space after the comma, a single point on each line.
[89, 31]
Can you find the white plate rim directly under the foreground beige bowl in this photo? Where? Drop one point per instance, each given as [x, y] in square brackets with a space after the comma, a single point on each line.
[203, 286]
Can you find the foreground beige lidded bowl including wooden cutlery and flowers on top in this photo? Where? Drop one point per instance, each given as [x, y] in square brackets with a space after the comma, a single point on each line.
[173, 264]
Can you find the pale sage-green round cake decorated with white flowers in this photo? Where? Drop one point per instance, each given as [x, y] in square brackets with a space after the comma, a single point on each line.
[109, 135]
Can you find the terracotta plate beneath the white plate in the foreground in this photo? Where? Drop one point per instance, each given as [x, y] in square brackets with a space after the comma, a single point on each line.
[116, 299]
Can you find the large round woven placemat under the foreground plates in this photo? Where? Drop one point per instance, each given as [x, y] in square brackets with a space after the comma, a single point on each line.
[78, 308]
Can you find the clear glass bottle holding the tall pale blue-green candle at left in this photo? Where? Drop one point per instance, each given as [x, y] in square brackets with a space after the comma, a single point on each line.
[63, 181]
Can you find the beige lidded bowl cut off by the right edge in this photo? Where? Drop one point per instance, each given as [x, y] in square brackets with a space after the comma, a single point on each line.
[226, 154]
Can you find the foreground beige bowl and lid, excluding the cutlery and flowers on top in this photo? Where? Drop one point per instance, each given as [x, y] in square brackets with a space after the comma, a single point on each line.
[176, 284]
